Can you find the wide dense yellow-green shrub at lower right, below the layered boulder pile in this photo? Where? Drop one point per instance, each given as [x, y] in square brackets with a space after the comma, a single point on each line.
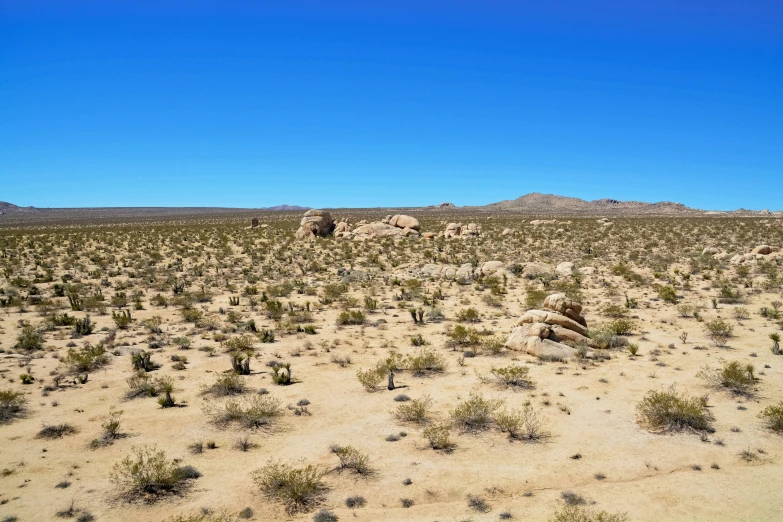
[667, 410]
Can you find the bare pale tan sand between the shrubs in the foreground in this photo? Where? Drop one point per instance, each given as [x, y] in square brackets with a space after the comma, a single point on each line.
[589, 407]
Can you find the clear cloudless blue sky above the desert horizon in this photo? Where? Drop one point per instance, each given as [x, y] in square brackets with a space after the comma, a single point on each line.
[338, 103]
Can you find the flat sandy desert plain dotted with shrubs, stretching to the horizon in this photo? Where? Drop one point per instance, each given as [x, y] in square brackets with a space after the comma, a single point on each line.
[222, 362]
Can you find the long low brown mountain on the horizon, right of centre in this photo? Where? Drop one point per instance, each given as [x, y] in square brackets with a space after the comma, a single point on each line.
[550, 203]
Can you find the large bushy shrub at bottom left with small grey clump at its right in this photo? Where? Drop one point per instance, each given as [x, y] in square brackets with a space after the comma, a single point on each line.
[147, 472]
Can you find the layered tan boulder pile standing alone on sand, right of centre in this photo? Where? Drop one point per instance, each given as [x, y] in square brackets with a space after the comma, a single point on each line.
[556, 332]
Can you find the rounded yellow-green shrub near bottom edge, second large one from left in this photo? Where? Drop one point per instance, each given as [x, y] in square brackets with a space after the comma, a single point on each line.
[298, 489]
